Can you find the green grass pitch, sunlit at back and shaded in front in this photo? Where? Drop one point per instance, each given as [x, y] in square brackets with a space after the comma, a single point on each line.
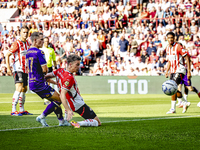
[129, 122]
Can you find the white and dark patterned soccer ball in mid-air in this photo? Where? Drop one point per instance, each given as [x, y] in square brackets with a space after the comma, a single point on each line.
[169, 87]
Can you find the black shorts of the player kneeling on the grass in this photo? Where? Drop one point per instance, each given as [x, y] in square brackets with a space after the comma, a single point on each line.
[86, 112]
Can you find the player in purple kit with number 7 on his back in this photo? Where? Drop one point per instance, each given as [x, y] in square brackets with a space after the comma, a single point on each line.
[37, 68]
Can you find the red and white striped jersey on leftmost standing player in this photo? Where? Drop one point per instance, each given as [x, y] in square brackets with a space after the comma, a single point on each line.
[19, 50]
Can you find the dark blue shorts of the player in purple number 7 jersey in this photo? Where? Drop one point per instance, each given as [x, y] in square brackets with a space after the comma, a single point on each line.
[47, 92]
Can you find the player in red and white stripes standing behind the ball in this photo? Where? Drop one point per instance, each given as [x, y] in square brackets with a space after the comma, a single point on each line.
[176, 56]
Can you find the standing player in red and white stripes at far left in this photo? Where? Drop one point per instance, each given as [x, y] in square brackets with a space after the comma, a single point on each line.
[19, 49]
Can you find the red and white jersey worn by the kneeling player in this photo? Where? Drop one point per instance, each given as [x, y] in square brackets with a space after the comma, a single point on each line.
[65, 80]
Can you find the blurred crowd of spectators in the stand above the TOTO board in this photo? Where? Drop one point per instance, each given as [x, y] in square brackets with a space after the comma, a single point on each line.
[107, 35]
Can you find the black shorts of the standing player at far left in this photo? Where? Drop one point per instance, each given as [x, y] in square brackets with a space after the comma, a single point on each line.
[20, 77]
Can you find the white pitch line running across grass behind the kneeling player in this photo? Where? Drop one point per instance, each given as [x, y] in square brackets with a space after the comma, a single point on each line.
[178, 117]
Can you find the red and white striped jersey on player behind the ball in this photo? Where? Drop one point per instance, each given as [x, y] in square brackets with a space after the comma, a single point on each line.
[175, 56]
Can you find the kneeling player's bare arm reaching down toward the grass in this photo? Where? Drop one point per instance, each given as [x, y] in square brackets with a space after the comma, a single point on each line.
[64, 102]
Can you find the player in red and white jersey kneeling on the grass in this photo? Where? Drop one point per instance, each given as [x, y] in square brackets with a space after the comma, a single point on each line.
[70, 95]
